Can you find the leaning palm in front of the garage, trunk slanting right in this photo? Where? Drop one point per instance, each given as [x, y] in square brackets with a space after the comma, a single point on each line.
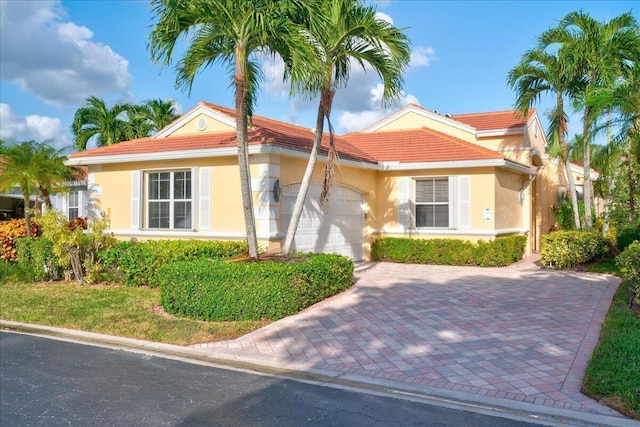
[349, 33]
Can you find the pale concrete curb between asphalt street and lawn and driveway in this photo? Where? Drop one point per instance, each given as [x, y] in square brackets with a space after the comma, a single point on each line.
[521, 411]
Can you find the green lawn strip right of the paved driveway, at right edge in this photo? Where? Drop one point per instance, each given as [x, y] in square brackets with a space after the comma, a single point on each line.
[613, 373]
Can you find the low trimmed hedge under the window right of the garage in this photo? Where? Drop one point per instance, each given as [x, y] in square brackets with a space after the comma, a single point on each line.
[495, 253]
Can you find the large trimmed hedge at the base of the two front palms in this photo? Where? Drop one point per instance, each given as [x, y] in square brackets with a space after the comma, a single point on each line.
[220, 291]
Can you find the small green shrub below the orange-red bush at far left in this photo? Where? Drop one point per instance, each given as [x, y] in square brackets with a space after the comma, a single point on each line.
[36, 254]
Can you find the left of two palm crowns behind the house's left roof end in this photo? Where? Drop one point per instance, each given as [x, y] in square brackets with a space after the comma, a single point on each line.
[107, 125]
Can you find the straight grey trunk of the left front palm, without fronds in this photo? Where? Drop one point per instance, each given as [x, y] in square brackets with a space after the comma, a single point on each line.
[243, 151]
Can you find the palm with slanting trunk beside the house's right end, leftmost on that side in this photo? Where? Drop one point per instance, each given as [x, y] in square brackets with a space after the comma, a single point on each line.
[541, 72]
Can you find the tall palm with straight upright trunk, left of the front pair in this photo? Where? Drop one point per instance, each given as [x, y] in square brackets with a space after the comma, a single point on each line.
[229, 32]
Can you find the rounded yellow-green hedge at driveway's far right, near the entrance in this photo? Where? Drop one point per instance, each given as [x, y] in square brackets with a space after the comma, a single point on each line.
[566, 249]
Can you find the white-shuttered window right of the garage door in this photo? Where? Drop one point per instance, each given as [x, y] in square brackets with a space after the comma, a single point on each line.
[432, 203]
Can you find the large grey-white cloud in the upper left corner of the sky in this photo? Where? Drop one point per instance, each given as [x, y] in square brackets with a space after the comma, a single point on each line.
[54, 59]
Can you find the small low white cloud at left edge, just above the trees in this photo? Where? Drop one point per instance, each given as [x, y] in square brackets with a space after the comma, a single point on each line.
[38, 128]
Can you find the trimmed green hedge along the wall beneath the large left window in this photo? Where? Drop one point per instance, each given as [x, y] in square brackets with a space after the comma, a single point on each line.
[139, 262]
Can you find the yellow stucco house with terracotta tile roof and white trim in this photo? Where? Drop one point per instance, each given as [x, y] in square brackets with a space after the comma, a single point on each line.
[415, 173]
